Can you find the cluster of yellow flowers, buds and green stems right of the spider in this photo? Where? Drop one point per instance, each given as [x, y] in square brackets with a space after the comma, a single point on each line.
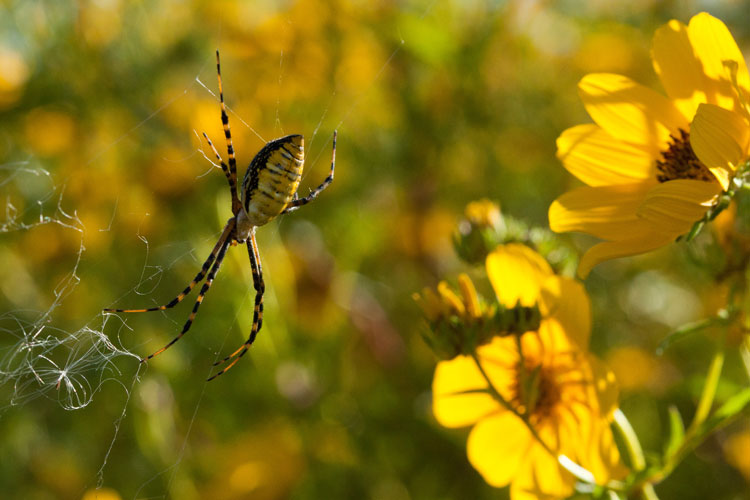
[656, 168]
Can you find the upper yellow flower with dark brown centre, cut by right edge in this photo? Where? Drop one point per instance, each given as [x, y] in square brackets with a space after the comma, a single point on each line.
[650, 175]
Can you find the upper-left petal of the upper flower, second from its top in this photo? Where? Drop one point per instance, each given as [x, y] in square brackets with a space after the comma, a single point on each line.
[631, 112]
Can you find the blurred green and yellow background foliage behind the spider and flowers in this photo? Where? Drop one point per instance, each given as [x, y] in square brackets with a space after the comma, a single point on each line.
[436, 103]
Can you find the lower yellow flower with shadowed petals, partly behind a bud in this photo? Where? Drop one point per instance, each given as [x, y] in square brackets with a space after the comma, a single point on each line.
[557, 398]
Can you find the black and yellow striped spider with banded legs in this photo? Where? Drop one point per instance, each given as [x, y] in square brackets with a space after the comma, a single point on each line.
[269, 189]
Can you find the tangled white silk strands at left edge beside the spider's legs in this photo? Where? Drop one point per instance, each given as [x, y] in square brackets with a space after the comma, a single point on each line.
[37, 358]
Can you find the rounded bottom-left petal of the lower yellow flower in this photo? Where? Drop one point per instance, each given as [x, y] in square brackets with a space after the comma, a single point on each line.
[497, 448]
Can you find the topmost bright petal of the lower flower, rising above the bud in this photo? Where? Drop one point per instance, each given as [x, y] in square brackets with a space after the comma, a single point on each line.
[517, 274]
